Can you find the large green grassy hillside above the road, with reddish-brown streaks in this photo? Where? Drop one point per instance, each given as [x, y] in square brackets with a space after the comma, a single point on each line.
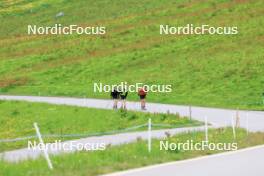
[206, 70]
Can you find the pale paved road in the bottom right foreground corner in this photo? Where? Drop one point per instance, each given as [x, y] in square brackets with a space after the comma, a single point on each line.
[244, 162]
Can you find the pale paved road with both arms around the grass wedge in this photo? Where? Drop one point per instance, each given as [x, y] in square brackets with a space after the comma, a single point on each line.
[217, 117]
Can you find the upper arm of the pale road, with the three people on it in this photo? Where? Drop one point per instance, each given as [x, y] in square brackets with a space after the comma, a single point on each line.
[217, 117]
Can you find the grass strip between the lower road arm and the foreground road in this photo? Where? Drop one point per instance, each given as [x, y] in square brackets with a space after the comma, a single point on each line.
[123, 157]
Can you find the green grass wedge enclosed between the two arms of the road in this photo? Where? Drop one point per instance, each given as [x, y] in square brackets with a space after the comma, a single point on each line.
[17, 118]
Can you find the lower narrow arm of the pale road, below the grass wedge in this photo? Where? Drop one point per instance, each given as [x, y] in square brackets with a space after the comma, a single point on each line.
[117, 139]
